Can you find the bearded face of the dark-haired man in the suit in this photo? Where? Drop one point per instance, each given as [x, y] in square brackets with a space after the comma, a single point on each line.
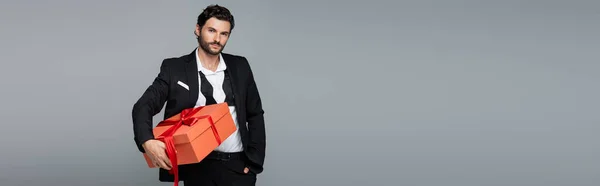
[213, 35]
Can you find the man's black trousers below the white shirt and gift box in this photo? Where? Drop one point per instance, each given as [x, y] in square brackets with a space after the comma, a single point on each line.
[220, 169]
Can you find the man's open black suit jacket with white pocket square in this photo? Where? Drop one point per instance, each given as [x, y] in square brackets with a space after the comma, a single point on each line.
[164, 88]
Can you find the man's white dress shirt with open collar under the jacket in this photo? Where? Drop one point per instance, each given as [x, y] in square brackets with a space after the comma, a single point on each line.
[233, 143]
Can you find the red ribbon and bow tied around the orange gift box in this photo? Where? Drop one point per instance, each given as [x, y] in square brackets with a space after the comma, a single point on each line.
[167, 136]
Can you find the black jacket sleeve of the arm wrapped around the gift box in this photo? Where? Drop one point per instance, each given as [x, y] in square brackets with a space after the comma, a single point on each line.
[148, 105]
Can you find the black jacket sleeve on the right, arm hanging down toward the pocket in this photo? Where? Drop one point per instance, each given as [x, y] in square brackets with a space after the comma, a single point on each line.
[256, 124]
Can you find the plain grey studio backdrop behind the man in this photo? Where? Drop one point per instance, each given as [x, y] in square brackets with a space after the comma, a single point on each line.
[420, 93]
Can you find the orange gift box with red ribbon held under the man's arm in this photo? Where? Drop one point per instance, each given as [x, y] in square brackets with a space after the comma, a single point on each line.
[192, 134]
